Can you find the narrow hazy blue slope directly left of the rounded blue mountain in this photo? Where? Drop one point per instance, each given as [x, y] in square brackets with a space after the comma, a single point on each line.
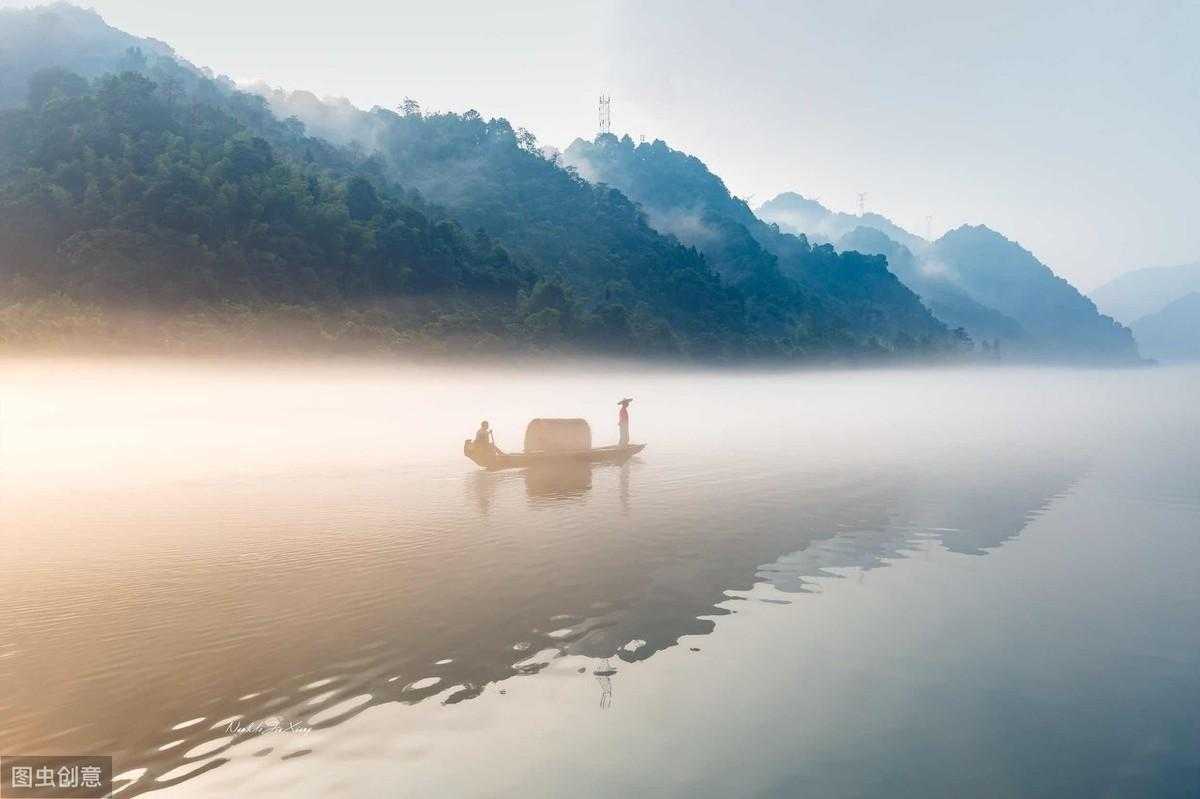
[946, 302]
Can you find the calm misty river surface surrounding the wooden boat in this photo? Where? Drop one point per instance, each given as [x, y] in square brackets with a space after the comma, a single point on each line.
[289, 581]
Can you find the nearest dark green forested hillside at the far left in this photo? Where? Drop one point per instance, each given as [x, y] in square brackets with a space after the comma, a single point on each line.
[123, 196]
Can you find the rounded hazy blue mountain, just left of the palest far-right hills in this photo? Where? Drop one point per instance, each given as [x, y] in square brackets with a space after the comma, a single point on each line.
[1060, 323]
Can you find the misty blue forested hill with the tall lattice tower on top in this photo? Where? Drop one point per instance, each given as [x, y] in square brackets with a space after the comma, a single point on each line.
[681, 196]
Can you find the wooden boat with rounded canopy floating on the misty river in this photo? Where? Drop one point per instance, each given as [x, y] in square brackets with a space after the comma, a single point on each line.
[549, 442]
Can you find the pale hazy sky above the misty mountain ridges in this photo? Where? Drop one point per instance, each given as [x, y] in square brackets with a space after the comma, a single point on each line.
[1070, 127]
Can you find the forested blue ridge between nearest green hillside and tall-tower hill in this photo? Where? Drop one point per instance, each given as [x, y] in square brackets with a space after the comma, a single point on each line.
[592, 239]
